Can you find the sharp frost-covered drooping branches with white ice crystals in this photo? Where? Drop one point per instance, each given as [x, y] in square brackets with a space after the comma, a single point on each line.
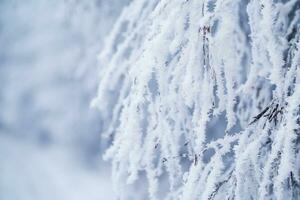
[202, 99]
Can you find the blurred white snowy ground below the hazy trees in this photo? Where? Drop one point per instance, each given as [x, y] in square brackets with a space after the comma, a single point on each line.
[31, 172]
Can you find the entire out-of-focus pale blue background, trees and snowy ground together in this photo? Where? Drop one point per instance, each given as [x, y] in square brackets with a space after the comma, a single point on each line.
[50, 142]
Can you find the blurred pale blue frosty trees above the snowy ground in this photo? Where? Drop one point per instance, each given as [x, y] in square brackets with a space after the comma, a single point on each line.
[48, 69]
